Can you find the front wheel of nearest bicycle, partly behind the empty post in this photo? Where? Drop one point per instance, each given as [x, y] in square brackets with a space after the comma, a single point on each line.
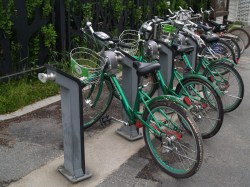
[96, 100]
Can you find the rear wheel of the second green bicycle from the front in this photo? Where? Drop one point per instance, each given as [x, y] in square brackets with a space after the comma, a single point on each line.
[207, 108]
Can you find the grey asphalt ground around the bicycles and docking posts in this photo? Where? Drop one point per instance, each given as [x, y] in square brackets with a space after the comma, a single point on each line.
[35, 139]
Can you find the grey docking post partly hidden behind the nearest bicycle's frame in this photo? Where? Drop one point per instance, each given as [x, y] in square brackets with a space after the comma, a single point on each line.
[129, 86]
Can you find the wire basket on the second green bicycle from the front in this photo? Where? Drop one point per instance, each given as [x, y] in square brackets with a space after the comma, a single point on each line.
[130, 38]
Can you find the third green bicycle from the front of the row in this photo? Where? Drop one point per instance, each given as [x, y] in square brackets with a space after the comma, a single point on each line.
[218, 69]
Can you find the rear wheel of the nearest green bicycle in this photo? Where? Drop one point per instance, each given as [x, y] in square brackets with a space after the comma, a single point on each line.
[178, 152]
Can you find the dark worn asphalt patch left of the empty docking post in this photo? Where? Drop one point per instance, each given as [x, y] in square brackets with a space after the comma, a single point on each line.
[27, 127]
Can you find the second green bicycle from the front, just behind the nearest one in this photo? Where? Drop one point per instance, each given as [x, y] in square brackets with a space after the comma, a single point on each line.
[207, 108]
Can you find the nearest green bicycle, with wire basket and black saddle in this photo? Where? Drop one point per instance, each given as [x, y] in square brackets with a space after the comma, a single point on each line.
[170, 135]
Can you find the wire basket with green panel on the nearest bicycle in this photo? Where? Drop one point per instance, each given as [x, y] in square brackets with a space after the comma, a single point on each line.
[86, 65]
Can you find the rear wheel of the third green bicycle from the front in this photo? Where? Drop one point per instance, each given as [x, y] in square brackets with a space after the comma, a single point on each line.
[228, 79]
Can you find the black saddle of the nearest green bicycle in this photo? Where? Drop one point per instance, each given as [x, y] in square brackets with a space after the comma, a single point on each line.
[145, 68]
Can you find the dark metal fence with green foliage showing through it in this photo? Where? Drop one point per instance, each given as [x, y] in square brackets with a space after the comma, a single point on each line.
[67, 20]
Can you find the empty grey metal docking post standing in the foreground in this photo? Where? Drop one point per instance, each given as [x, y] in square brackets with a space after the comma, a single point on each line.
[72, 121]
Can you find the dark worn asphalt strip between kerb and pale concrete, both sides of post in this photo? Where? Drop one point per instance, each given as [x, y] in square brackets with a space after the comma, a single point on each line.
[44, 126]
